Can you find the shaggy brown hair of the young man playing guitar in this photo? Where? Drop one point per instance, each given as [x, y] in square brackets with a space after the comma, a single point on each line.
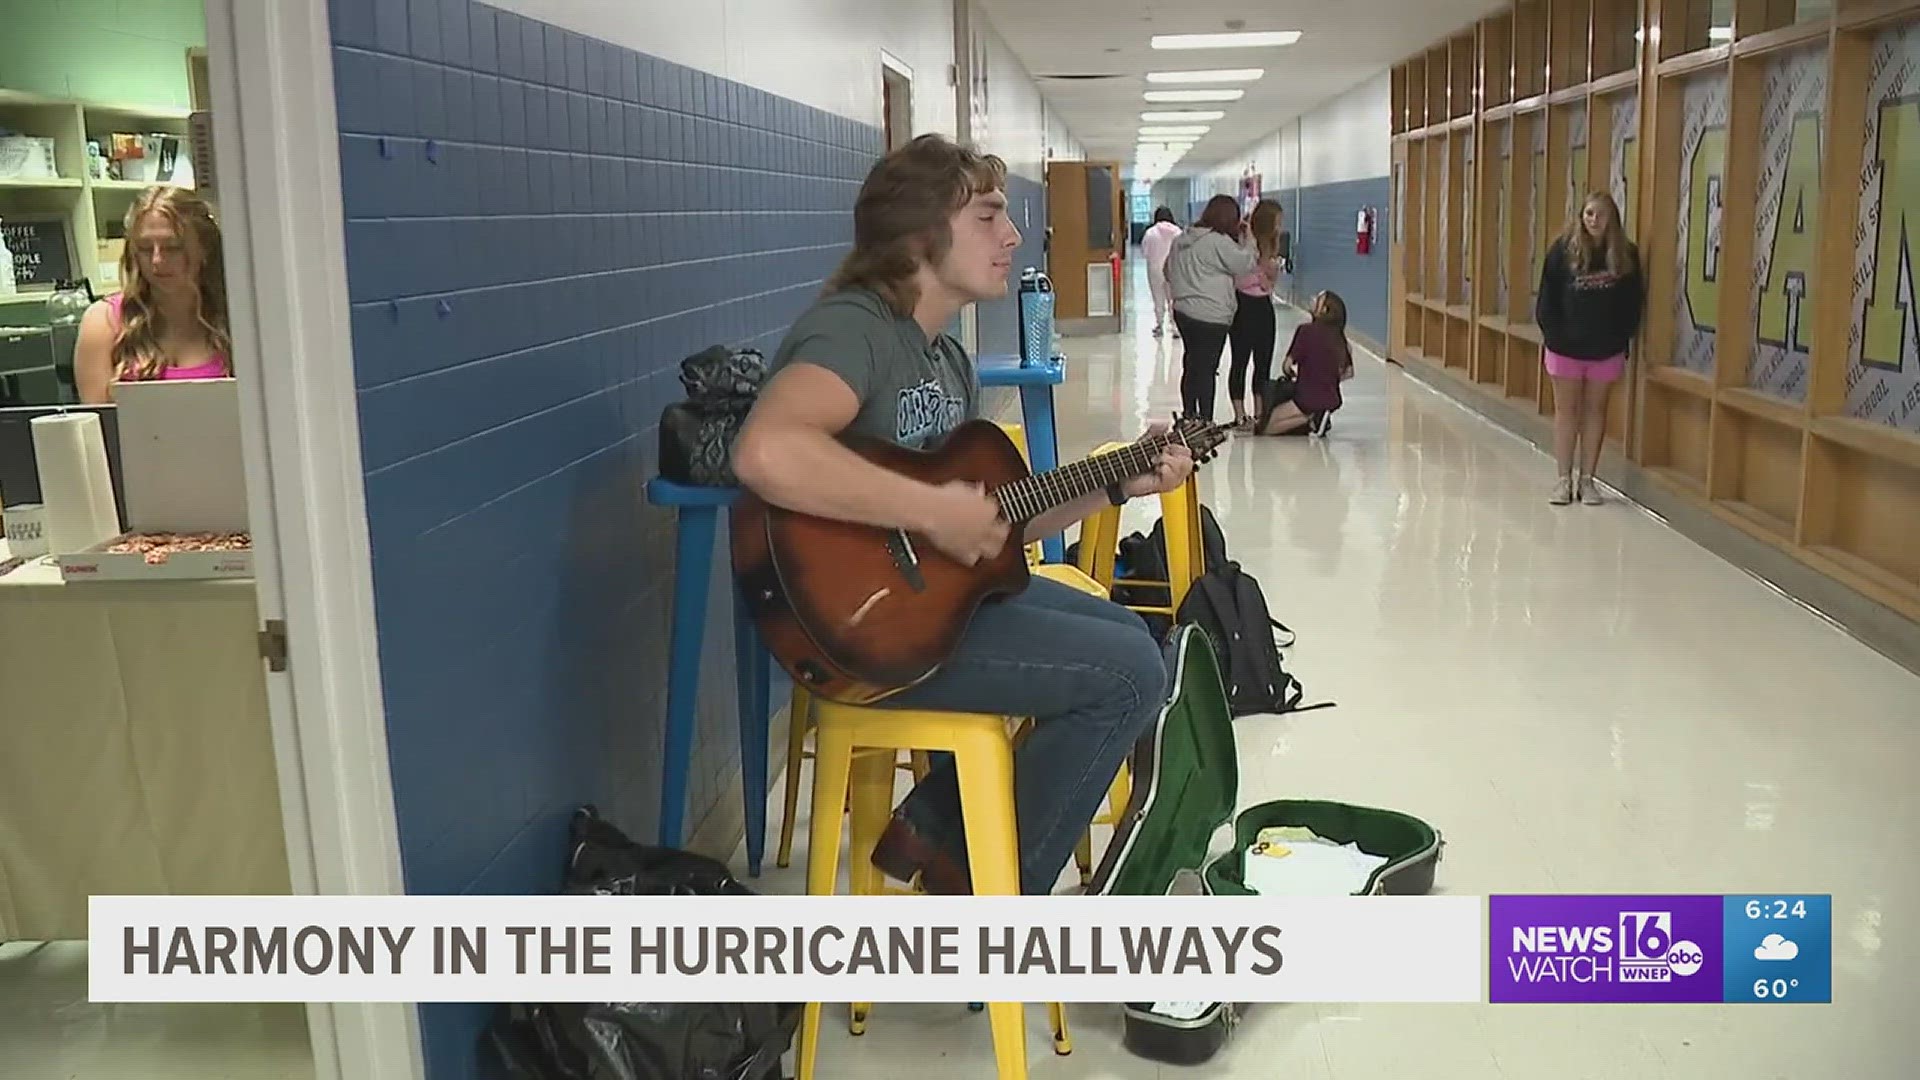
[905, 216]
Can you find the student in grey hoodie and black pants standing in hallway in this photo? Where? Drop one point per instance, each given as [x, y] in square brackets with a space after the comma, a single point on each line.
[1201, 272]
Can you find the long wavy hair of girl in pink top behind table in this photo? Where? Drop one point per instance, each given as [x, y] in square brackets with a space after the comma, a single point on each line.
[137, 353]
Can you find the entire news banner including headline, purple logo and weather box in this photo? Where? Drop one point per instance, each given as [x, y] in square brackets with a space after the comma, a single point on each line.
[1059, 948]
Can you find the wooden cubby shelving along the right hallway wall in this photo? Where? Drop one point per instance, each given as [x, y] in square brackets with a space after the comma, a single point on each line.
[1775, 380]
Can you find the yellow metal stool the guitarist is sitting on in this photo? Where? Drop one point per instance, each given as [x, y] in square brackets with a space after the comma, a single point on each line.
[855, 764]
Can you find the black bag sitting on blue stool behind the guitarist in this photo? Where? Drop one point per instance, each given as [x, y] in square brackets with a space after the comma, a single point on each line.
[698, 433]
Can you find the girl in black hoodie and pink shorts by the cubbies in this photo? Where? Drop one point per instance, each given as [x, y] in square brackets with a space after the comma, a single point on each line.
[1593, 297]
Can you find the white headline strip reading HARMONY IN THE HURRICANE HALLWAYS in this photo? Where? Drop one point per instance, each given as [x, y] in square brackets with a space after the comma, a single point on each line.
[784, 948]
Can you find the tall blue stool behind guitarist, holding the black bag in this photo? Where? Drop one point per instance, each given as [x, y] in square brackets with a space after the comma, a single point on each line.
[694, 558]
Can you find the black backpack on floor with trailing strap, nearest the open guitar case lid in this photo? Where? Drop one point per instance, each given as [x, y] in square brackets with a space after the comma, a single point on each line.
[1228, 604]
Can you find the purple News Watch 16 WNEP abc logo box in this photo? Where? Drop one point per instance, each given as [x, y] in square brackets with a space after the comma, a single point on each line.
[1579, 948]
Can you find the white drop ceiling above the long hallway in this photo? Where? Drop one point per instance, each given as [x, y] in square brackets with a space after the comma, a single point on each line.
[1092, 61]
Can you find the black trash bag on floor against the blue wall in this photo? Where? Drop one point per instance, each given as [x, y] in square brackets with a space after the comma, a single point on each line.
[642, 1041]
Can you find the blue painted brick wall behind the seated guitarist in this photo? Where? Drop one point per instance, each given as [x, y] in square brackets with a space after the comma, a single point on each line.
[540, 228]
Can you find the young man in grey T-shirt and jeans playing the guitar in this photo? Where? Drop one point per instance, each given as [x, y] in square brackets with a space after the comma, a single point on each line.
[875, 358]
